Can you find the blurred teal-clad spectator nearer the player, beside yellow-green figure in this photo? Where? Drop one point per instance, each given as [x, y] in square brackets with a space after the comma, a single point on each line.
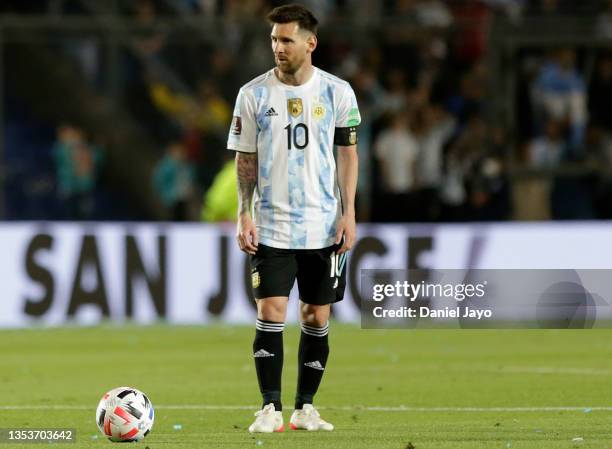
[174, 180]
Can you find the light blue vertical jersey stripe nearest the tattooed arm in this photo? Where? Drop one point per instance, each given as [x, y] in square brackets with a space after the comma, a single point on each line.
[265, 211]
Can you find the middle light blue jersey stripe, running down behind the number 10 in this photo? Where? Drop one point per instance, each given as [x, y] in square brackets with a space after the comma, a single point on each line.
[297, 194]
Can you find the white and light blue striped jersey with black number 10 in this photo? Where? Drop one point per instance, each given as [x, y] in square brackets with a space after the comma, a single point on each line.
[297, 198]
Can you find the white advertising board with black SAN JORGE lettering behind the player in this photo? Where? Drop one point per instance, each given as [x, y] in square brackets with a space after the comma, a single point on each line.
[61, 273]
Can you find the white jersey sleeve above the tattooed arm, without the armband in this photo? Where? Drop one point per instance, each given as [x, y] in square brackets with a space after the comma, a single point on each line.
[243, 131]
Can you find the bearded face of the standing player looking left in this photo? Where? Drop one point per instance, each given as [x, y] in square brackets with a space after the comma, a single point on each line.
[291, 46]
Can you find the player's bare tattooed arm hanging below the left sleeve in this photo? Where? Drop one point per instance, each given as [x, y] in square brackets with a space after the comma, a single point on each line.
[246, 171]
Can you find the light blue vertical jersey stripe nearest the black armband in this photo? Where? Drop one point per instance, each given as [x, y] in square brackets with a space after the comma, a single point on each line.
[326, 172]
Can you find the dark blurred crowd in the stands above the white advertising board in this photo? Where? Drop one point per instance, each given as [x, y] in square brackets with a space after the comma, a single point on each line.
[487, 110]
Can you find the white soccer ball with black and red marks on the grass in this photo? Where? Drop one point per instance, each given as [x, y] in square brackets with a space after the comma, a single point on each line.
[125, 414]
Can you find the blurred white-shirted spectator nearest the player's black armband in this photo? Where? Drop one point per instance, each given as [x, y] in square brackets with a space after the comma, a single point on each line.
[396, 149]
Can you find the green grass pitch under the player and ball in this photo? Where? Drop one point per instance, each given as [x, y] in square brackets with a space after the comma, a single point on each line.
[427, 389]
